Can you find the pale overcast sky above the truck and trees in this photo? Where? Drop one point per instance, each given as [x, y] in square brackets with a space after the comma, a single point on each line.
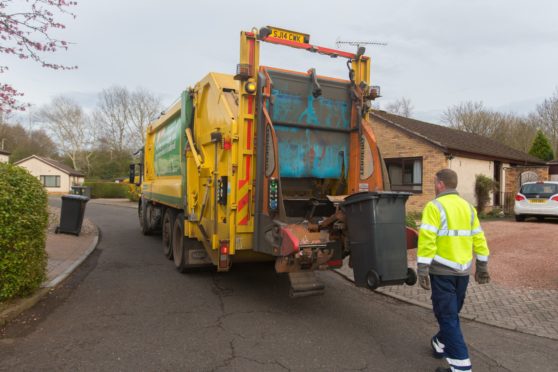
[439, 52]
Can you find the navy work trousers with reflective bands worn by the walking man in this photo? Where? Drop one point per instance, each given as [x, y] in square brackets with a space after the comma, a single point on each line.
[448, 294]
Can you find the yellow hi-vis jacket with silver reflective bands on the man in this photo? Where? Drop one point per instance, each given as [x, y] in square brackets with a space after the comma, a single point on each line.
[449, 233]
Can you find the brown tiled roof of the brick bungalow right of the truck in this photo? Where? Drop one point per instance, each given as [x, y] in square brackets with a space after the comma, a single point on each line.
[453, 141]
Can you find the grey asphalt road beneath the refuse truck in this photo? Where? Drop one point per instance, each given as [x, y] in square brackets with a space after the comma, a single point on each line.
[126, 308]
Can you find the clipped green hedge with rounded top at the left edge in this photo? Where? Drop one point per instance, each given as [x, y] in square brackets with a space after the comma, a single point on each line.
[23, 223]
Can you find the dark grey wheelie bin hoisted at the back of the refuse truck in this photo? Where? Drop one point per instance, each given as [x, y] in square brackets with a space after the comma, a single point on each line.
[377, 239]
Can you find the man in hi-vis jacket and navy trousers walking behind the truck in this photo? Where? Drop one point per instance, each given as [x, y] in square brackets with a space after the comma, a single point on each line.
[449, 234]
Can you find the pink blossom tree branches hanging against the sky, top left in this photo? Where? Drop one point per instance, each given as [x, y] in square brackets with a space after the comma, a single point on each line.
[26, 32]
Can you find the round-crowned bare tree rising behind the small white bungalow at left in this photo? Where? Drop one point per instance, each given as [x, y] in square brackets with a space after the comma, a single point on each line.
[70, 129]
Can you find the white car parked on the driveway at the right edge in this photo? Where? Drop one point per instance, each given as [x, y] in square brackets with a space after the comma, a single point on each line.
[536, 199]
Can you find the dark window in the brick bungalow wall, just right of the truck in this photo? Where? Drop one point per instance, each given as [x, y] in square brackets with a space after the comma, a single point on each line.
[405, 174]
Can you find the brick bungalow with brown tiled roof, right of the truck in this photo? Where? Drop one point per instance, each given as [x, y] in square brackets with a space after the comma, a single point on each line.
[414, 151]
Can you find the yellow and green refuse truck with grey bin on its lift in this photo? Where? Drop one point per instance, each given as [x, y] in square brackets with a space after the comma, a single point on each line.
[268, 164]
